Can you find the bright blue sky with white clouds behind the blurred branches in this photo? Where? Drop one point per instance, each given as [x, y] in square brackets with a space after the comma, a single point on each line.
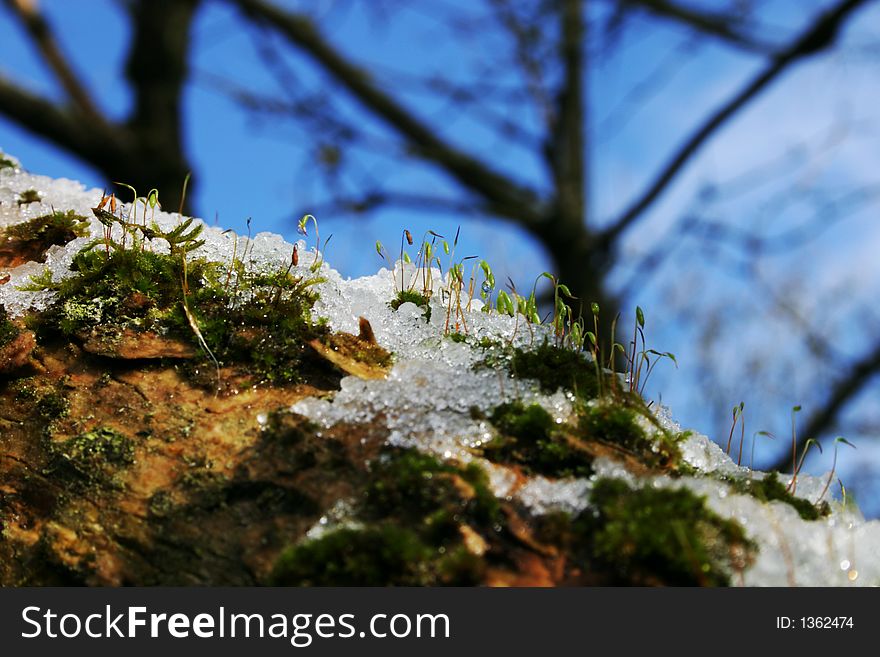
[816, 131]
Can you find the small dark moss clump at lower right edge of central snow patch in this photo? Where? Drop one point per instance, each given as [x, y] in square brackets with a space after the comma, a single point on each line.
[529, 438]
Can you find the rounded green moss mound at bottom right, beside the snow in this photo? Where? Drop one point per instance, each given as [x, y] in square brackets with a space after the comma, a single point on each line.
[648, 536]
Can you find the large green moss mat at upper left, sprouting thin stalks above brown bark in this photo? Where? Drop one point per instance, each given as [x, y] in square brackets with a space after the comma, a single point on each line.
[258, 322]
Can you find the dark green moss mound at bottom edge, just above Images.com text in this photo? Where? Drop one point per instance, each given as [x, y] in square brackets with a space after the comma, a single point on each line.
[383, 555]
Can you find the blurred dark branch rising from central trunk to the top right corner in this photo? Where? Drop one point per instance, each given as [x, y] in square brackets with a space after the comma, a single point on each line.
[818, 37]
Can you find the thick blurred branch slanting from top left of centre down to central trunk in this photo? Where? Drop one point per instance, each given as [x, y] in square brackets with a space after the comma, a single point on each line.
[506, 197]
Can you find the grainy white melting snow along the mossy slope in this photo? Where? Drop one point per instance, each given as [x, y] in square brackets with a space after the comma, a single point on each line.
[427, 400]
